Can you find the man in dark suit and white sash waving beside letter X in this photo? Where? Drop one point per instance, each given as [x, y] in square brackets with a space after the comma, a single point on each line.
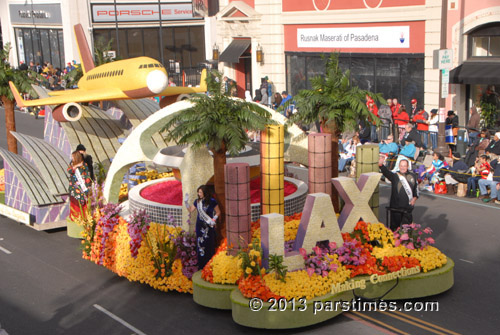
[404, 193]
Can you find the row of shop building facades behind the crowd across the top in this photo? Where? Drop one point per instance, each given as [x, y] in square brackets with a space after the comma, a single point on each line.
[388, 45]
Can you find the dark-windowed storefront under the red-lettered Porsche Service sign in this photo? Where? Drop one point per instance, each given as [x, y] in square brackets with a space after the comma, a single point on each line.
[135, 29]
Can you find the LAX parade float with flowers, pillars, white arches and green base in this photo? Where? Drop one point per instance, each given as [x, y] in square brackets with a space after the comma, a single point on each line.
[292, 267]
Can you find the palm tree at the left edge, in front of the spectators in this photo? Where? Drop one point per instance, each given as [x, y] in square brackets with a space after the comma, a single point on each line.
[22, 80]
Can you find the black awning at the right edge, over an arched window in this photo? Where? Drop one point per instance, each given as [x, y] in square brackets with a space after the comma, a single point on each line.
[476, 72]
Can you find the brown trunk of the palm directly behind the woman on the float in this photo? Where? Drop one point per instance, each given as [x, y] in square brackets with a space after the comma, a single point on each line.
[220, 191]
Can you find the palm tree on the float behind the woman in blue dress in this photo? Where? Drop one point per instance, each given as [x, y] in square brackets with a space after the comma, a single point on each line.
[219, 122]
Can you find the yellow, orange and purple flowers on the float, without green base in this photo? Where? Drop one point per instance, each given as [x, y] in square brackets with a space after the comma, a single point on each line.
[164, 256]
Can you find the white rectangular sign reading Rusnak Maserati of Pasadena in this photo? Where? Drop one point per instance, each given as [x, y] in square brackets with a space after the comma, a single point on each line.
[354, 37]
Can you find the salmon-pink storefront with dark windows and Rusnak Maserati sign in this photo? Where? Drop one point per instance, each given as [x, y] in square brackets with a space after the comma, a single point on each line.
[383, 57]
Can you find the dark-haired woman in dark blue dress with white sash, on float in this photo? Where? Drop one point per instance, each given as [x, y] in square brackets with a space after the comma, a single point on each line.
[208, 213]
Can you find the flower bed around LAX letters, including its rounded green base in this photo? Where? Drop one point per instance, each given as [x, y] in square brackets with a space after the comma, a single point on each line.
[368, 262]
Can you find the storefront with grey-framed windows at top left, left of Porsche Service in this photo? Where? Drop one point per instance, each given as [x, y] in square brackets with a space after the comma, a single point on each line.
[38, 33]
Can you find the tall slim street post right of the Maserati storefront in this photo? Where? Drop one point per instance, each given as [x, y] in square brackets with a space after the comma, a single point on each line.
[442, 148]
